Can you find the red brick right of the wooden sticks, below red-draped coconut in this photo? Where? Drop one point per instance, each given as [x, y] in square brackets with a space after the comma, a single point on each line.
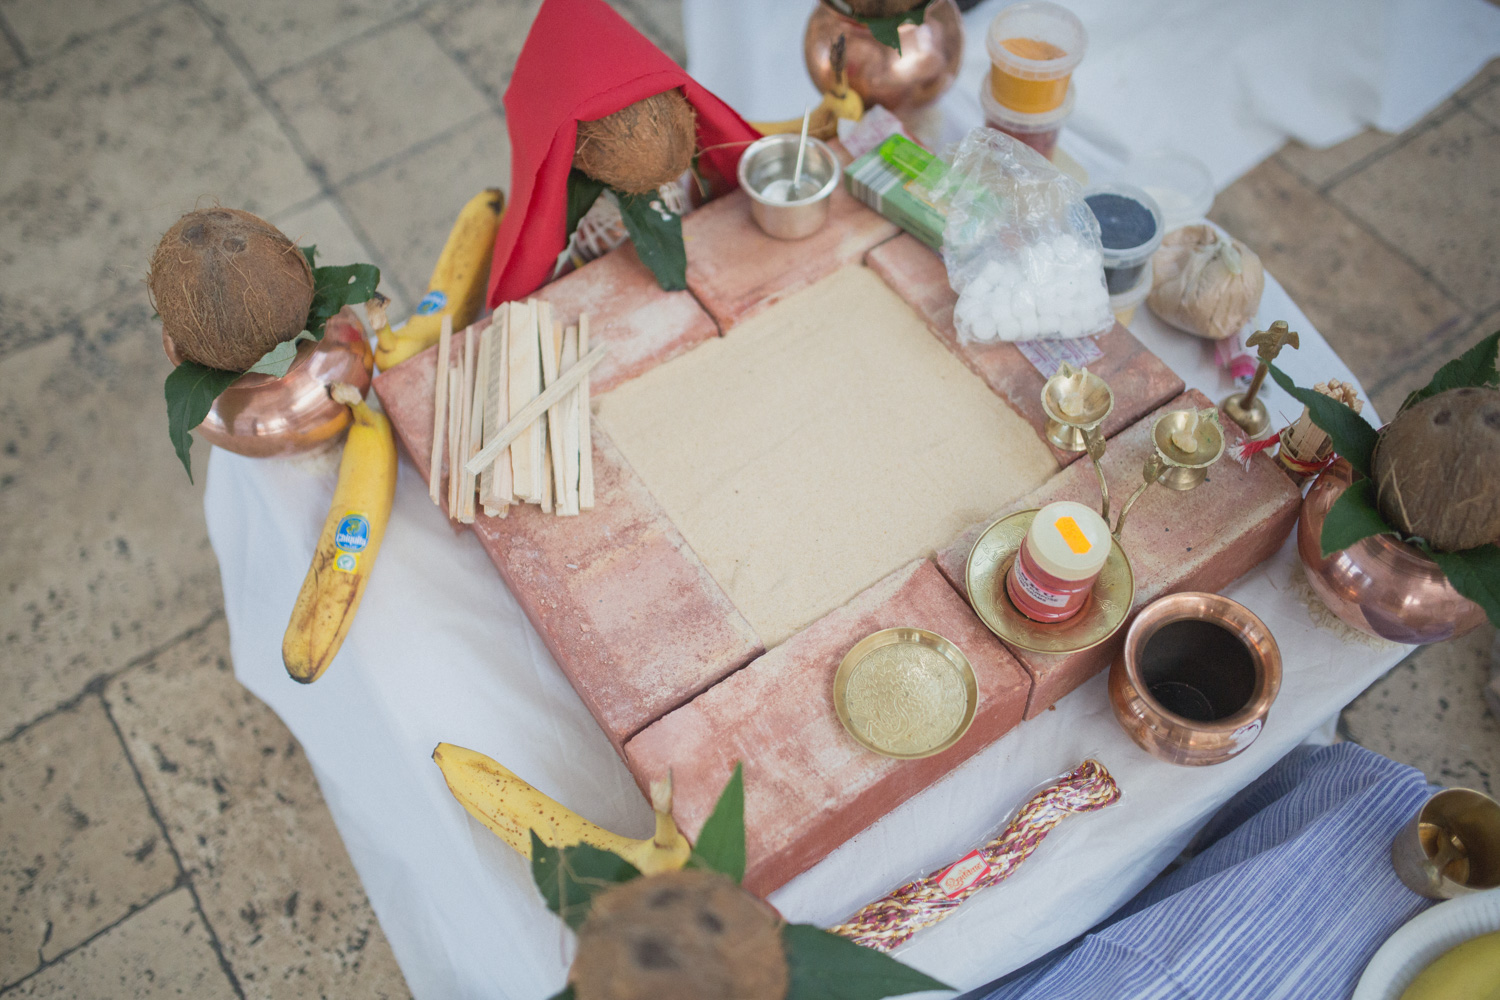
[643, 325]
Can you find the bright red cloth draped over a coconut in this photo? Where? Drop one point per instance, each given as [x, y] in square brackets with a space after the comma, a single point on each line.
[583, 62]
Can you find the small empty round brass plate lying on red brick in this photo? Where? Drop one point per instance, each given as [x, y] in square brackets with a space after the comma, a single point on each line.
[905, 693]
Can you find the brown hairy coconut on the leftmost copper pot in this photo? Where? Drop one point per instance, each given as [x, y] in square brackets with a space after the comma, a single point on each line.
[229, 287]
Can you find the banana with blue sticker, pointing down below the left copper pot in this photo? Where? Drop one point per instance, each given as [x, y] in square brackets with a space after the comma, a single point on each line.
[352, 536]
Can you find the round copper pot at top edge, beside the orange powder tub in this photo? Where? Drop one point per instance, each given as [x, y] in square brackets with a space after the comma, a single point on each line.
[902, 82]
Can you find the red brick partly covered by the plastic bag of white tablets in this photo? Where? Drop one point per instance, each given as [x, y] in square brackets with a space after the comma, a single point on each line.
[1139, 380]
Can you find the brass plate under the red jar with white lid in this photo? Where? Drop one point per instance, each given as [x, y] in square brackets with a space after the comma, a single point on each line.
[991, 560]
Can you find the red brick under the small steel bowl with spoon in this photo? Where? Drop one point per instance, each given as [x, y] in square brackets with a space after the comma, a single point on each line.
[736, 271]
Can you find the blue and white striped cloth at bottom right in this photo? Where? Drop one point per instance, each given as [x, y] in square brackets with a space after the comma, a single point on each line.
[1291, 897]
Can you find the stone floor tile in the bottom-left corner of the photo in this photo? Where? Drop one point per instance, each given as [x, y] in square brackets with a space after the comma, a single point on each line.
[164, 951]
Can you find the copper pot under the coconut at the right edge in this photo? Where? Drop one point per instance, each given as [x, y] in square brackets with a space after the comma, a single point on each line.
[1381, 585]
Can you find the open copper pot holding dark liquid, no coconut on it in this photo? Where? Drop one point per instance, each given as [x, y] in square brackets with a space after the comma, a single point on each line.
[1196, 678]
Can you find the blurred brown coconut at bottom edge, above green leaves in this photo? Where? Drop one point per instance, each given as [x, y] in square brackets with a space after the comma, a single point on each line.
[680, 936]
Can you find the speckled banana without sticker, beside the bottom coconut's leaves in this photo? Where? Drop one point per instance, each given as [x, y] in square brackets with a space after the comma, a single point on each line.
[511, 807]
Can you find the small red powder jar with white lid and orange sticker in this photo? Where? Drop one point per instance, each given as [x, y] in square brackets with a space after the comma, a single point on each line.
[1058, 563]
